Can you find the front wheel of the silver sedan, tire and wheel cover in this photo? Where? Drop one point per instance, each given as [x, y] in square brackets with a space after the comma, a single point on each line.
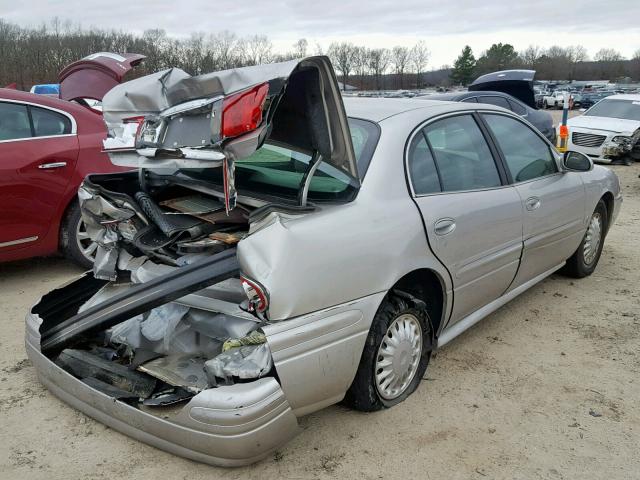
[585, 259]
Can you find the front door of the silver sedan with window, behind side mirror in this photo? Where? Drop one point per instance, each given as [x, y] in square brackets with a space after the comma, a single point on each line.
[553, 201]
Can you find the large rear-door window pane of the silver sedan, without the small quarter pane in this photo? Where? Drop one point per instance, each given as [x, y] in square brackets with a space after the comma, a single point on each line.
[462, 156]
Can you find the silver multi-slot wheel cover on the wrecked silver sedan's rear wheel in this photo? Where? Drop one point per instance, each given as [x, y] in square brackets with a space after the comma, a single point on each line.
[398, 356]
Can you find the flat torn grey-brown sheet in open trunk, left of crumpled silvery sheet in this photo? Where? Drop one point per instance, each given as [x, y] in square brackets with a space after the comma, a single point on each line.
[184, 371]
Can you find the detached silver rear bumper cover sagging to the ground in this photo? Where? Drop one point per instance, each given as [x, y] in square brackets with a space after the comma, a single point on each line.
[225, 426]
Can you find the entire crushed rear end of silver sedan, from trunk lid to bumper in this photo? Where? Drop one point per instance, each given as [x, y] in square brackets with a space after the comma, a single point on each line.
[165, 339]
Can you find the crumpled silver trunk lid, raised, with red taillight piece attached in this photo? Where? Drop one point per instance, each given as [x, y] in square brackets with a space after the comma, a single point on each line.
[172, 120]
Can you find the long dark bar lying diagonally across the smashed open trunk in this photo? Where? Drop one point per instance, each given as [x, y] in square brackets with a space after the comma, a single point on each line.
[141, 298]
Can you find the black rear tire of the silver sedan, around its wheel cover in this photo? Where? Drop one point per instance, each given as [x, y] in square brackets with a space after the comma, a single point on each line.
[363, 394]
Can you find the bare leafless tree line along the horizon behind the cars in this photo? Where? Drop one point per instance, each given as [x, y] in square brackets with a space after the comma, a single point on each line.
[31, 56]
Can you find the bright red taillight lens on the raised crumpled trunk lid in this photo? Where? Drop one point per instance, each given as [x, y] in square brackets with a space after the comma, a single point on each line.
[242, 112]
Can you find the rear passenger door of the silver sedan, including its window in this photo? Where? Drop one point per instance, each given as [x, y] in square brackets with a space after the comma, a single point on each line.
[473, 219]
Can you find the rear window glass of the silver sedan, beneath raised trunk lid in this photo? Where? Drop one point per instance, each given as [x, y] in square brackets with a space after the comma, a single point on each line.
[277, 170]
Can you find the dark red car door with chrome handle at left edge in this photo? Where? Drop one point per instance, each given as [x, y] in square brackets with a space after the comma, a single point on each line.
[38, 153]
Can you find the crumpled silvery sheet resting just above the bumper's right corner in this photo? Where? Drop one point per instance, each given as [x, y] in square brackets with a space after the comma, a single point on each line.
[249, 361]
